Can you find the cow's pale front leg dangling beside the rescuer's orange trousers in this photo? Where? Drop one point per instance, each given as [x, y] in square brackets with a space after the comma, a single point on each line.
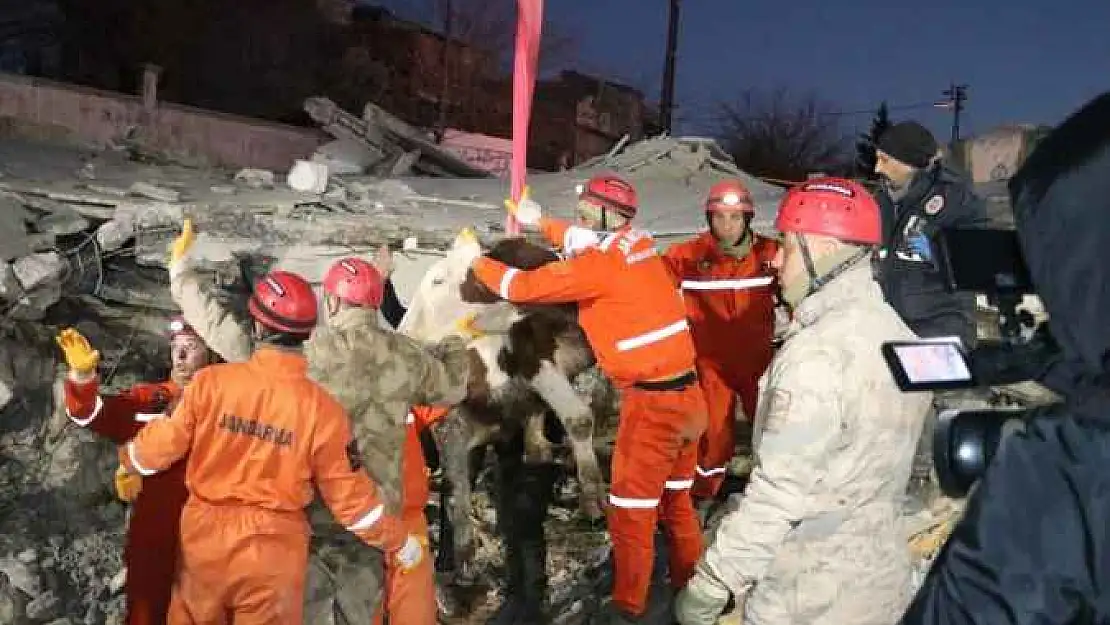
[578, 419]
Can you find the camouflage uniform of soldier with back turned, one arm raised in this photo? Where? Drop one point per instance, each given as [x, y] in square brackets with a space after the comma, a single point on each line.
[377, 376]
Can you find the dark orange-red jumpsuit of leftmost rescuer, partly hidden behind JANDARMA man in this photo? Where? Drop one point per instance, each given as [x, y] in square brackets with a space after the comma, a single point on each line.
[152, 549]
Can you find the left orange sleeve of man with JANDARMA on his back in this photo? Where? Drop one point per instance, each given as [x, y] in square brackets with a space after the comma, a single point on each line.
[165, 441]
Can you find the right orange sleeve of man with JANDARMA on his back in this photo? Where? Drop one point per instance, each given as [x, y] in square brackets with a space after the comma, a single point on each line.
[348, 490]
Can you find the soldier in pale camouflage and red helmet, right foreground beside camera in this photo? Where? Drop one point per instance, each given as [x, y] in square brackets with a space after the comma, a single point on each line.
[815, 539]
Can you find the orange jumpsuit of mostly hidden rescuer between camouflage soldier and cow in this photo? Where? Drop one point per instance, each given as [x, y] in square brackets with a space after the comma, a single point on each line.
[408, 593]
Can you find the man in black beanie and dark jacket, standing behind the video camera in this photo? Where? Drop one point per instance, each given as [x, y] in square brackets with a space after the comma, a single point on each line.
[921, 196]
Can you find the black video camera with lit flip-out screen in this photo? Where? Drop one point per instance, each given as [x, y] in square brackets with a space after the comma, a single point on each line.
[988, 263]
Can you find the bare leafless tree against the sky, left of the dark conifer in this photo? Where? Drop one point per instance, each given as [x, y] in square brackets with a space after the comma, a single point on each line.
[783, 136]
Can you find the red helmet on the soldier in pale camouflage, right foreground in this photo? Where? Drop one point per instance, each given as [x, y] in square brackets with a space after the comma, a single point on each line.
[833, 207]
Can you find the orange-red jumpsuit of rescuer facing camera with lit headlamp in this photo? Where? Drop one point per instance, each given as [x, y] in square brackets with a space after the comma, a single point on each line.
[731, 304]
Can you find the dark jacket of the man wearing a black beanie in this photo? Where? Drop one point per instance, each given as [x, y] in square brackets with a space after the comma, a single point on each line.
[937, 198]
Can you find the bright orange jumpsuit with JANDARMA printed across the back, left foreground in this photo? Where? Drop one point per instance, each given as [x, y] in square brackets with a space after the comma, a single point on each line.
[259, 435]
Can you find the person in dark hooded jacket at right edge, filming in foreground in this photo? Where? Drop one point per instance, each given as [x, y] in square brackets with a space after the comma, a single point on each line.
[1034, 546]
